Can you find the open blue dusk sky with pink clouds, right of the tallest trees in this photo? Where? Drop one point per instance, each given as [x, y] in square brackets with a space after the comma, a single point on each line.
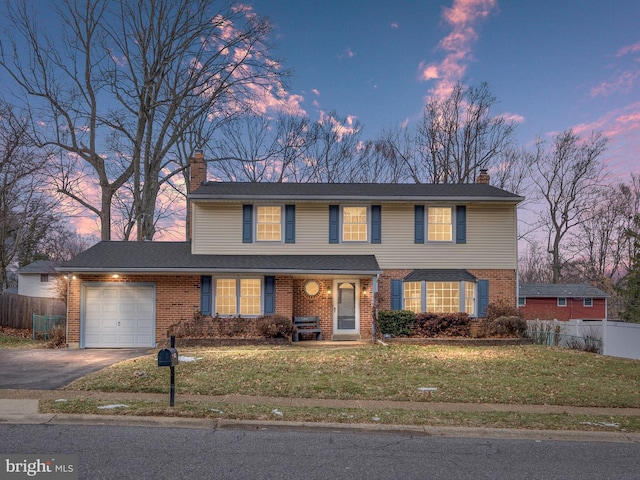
[552, 64]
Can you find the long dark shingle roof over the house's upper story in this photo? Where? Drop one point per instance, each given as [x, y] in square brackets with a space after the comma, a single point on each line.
[352, 191]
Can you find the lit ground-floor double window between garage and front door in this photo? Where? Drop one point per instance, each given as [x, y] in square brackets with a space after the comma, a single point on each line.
[238, 296]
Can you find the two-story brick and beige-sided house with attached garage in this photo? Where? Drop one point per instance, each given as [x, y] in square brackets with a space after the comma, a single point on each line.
[336, 251]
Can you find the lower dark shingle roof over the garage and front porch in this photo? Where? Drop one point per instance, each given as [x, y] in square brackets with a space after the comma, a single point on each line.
[176, 257]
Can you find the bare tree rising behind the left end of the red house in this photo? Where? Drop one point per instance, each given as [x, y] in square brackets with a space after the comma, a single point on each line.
[567, 179]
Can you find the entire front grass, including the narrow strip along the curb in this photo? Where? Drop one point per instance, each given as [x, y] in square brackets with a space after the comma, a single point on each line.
[514, 375]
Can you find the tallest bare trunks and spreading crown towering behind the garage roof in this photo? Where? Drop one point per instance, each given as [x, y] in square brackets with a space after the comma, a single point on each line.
[130, 80]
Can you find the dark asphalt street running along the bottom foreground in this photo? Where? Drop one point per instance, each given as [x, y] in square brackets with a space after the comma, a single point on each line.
[264, 453]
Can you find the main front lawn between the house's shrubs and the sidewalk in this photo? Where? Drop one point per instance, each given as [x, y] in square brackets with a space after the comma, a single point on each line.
[515, 375]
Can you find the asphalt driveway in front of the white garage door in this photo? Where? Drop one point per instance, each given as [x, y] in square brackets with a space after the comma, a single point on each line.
[48, 369]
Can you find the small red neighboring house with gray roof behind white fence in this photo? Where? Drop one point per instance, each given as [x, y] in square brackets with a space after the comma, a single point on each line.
[562, 302]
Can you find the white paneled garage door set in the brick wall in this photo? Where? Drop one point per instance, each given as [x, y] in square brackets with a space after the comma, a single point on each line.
[119, 316]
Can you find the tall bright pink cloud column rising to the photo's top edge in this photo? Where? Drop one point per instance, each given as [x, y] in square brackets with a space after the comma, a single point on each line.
[462, 17]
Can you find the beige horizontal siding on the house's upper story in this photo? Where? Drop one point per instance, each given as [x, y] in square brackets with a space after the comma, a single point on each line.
[491, 237]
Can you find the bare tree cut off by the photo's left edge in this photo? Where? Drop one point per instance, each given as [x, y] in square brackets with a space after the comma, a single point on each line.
[26, 211]
